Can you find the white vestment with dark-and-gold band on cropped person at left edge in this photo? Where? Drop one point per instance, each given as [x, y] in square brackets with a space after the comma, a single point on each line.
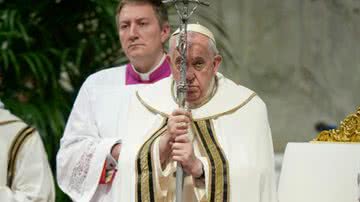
[23, 158]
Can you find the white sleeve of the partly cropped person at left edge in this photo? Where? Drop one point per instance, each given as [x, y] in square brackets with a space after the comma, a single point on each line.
[33, 180]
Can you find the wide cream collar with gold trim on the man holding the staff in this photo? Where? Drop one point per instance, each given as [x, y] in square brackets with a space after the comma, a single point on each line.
[228, 98]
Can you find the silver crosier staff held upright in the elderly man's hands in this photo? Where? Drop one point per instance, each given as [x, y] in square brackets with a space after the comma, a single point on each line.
[184, 9]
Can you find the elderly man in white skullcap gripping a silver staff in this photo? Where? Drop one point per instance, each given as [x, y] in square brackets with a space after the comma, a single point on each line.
[223, 142]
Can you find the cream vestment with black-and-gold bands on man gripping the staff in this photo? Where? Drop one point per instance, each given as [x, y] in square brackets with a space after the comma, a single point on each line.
[231, 137]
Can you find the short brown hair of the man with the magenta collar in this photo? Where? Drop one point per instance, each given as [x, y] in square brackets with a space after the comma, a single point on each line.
[159, 8]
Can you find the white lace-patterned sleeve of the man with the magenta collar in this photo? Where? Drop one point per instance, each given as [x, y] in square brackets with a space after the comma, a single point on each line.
[83, 151]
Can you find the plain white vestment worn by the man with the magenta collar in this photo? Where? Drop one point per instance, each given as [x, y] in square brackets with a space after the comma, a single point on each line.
[95, 124]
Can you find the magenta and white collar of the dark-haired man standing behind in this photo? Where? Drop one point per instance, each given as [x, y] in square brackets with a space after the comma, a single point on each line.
[157, 73]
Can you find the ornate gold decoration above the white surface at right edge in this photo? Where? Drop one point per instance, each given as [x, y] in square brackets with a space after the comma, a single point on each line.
[349, 131]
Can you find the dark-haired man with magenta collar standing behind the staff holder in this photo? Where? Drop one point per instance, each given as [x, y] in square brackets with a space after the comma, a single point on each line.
[90, 147]
